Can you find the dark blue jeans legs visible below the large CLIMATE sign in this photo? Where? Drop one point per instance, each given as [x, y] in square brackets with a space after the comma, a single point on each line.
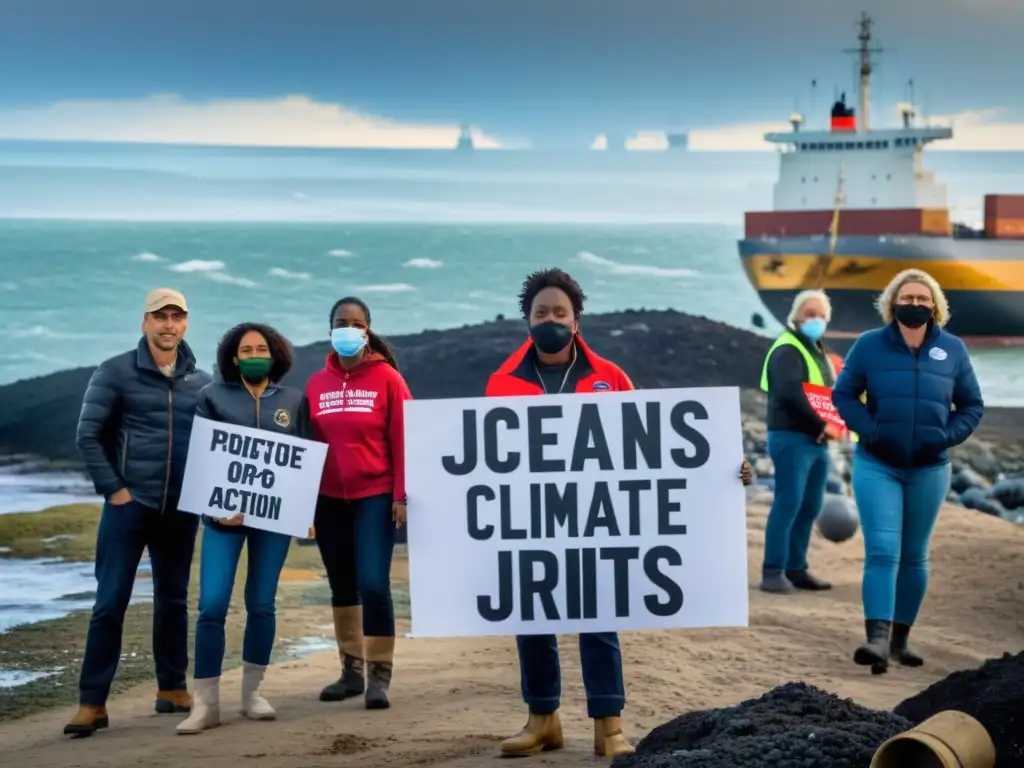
[541, 676]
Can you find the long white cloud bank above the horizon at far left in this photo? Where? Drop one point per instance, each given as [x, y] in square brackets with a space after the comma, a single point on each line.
[288, 121]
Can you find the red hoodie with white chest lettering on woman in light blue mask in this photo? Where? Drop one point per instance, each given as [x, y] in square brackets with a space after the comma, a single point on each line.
[360, 414]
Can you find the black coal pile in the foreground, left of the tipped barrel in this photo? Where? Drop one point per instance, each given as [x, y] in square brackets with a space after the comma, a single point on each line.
[793, 727]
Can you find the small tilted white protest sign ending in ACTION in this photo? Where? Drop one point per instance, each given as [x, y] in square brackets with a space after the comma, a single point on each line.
[272, 479]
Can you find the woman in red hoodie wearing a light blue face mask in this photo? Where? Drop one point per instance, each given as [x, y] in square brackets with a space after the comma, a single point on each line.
[357, 407]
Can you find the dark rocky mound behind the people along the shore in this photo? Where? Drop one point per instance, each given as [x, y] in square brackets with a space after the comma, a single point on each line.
[39, 416]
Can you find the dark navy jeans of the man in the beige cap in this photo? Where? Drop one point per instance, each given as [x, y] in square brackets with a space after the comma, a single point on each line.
[124, 532]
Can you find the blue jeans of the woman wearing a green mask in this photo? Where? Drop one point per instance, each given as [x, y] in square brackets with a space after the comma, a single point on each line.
[219, 566]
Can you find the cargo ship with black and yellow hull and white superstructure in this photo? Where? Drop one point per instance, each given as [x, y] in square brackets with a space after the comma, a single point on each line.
[854, 206]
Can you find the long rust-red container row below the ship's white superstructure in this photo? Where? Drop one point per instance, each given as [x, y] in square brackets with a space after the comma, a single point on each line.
[864, 222]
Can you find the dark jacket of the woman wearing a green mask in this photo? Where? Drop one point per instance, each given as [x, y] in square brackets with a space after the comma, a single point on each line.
[279, 410]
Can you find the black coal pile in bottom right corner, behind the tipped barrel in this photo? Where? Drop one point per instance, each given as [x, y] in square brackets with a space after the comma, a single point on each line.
[993, 695]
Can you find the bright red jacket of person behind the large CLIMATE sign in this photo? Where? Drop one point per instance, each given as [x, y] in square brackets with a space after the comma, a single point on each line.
[591, 373]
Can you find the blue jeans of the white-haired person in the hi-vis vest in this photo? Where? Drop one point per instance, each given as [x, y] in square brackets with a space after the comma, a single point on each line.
[801, 476]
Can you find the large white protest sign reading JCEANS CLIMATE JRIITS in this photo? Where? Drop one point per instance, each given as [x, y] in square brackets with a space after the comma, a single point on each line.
[572, 514]
